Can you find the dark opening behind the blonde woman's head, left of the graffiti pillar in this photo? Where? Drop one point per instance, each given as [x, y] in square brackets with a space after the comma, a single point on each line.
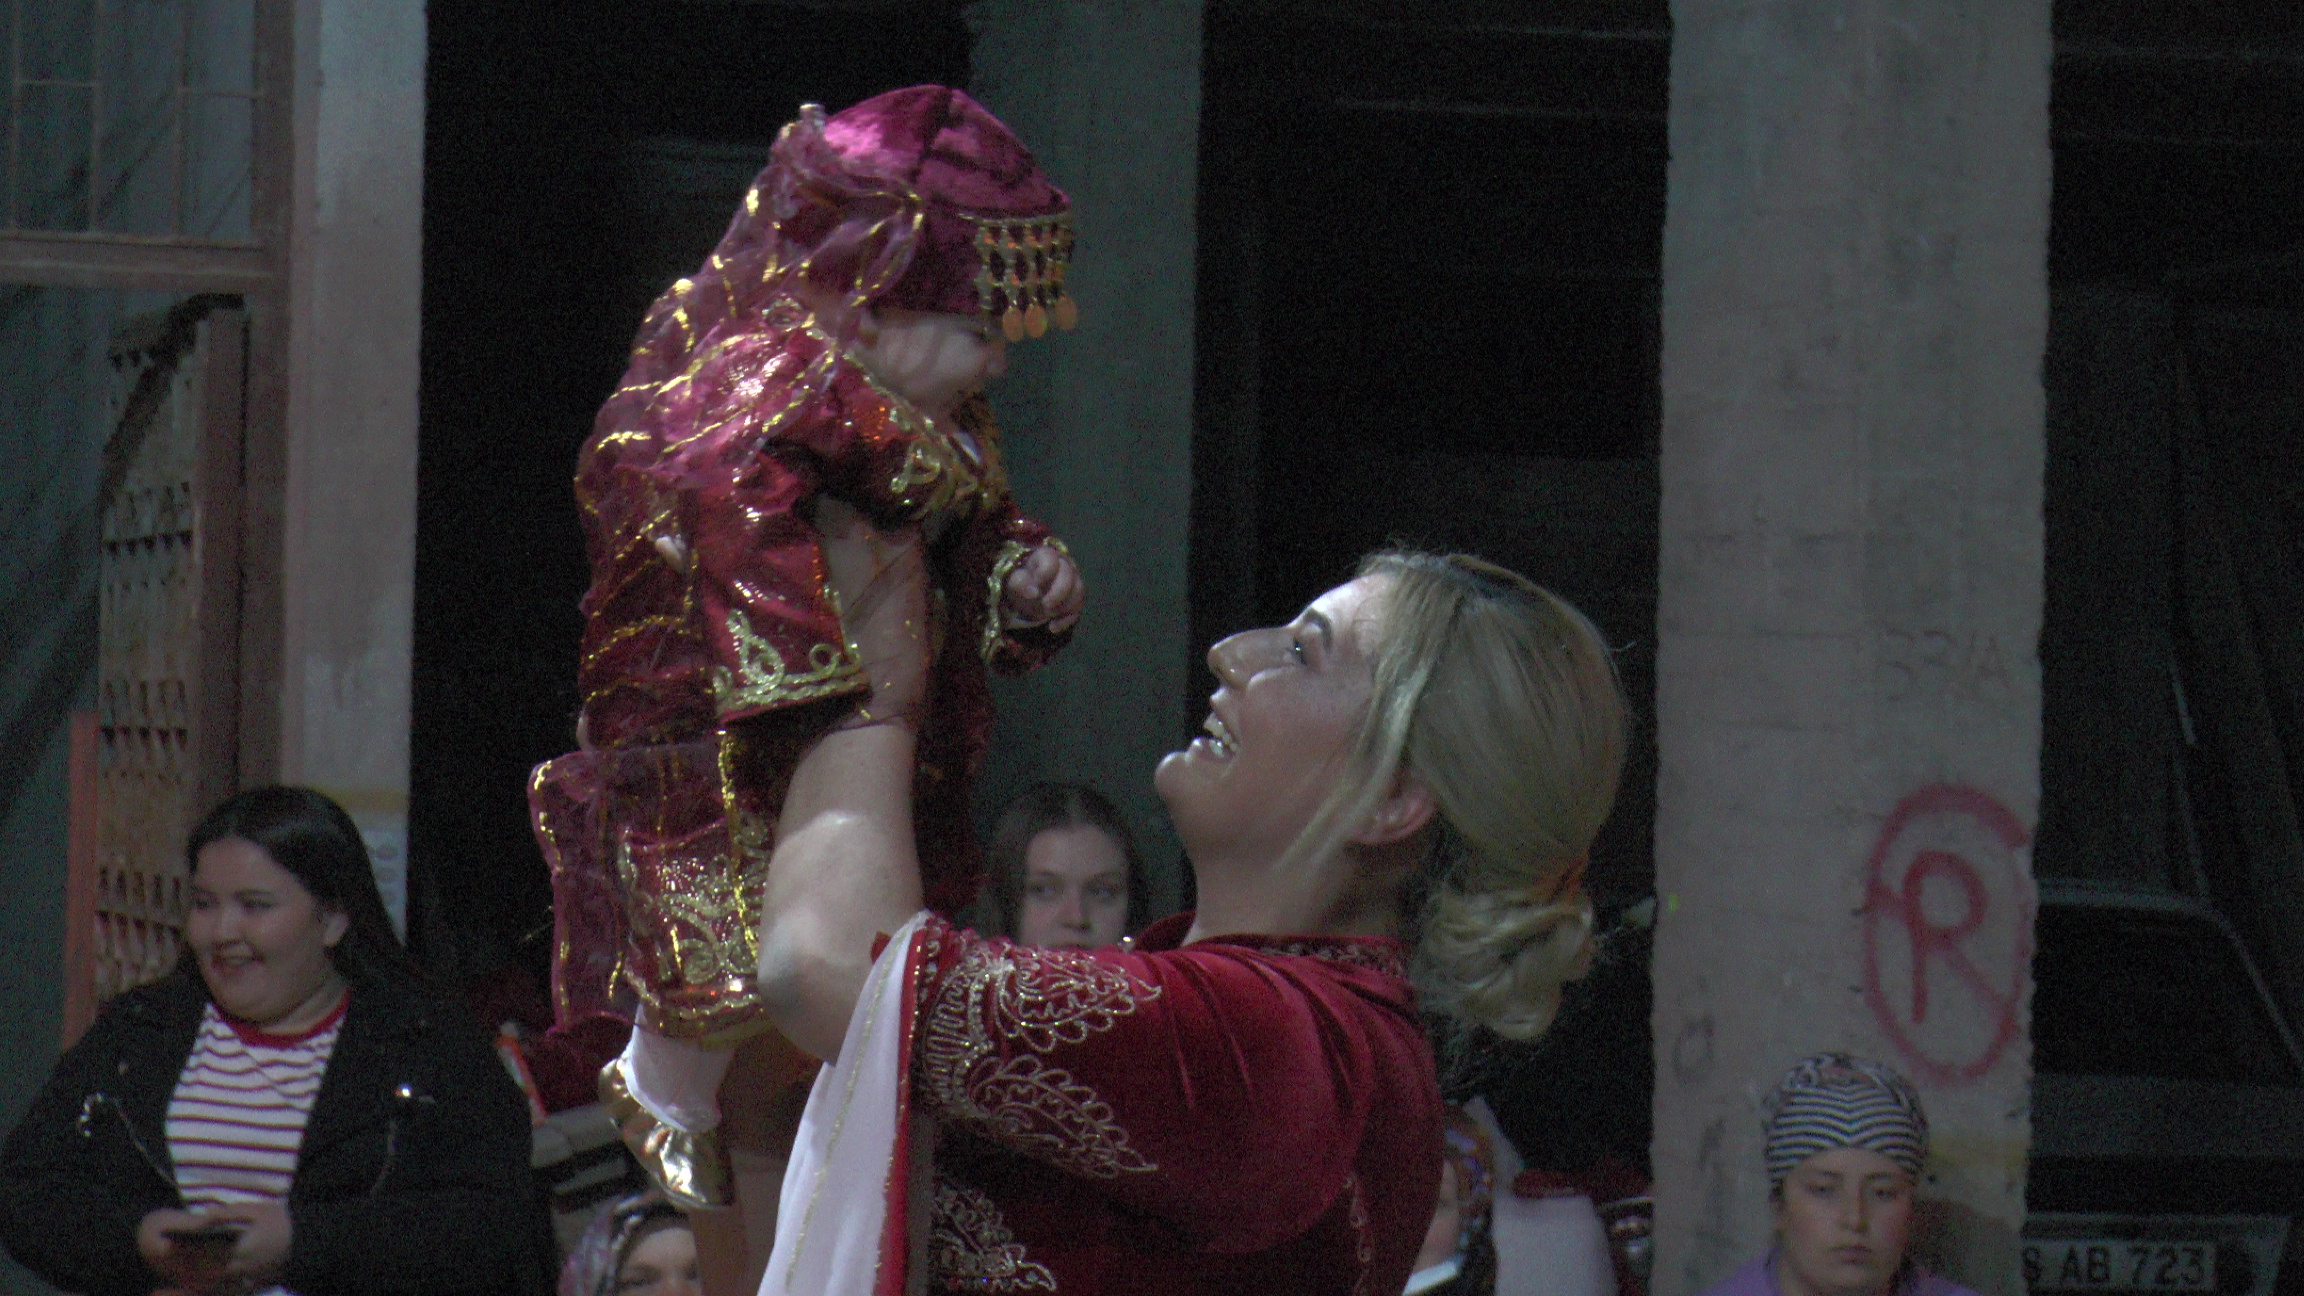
[1430, 312]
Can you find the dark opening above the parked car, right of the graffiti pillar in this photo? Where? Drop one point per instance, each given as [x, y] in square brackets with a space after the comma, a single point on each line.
[2174, 642]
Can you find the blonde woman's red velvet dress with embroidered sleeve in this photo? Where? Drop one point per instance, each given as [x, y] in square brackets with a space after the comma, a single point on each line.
[1245, 1115]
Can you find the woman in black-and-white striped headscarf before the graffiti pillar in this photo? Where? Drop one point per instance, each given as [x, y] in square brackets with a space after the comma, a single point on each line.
[1844, 1150]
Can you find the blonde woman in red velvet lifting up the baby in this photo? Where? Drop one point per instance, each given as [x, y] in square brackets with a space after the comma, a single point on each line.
[1400, 783]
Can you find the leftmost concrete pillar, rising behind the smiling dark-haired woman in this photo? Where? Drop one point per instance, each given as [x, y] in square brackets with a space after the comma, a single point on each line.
[351, 479]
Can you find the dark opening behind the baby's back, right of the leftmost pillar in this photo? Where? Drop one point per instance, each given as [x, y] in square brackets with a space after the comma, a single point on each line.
[579, 158]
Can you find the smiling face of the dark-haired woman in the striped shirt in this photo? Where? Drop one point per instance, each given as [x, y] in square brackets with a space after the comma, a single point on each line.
[262, 937]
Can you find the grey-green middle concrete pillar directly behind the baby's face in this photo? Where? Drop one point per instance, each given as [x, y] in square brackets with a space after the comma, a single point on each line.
[1100, 421]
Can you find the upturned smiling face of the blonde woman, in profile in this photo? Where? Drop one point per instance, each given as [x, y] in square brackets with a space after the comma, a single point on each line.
[1280, 728]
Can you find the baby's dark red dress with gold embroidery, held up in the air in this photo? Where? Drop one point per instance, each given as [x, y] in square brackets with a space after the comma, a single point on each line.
[713, 654]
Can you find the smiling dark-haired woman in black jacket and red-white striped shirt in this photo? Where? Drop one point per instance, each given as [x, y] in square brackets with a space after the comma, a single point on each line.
[287, 1110]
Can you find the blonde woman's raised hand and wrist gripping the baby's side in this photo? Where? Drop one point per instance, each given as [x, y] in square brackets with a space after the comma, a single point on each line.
[881, 580]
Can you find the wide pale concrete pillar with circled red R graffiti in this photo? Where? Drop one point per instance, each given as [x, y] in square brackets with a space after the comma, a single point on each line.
[1851, 594]
